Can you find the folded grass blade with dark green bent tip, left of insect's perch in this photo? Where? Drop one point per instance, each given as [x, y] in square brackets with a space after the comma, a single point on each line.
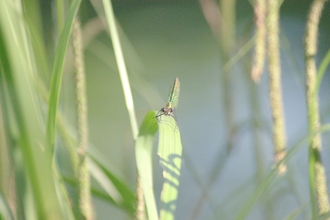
[143, 152]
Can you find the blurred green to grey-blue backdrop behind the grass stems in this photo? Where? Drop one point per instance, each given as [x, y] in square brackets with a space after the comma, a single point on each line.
[222, 165]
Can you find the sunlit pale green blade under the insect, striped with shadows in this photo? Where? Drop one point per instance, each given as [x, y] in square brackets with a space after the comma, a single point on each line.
[170, 153]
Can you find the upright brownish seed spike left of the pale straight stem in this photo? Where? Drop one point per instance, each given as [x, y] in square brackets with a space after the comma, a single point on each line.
[84, 185]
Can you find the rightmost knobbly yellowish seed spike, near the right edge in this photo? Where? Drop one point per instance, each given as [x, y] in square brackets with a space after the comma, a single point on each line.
[317, 178]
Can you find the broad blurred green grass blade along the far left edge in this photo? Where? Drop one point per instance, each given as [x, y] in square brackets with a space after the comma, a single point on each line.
[18, 74]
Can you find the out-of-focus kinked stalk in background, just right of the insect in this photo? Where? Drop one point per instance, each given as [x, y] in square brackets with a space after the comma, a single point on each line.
[222, 23]
